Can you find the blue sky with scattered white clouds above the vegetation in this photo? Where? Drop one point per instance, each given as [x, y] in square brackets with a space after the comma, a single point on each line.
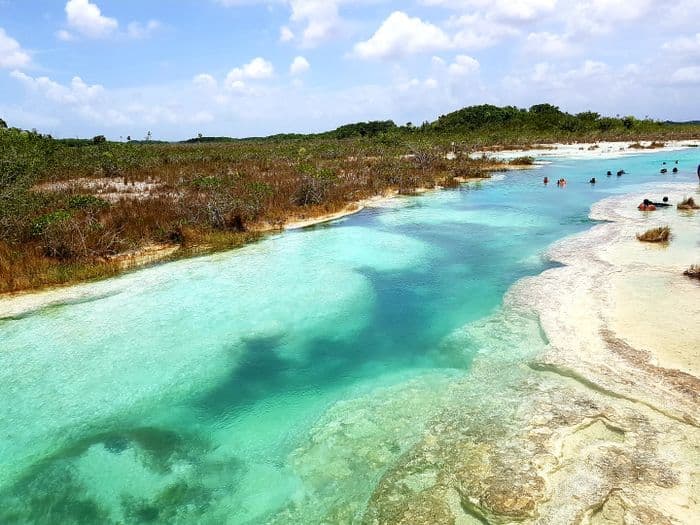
[243, 68]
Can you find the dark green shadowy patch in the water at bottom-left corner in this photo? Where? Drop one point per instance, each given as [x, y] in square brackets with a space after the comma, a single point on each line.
[55, 490]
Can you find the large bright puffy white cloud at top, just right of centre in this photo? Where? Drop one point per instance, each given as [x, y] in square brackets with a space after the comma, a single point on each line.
[401, 35]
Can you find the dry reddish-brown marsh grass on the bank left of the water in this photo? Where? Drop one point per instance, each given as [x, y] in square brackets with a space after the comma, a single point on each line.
[199, 198]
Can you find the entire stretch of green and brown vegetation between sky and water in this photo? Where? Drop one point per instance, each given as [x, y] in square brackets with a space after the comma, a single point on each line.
[70, 207]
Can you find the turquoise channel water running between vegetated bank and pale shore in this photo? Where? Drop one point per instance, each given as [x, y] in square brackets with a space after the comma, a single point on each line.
[276, 383]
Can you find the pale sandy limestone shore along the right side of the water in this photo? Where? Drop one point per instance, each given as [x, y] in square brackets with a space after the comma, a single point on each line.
[603, 424]
